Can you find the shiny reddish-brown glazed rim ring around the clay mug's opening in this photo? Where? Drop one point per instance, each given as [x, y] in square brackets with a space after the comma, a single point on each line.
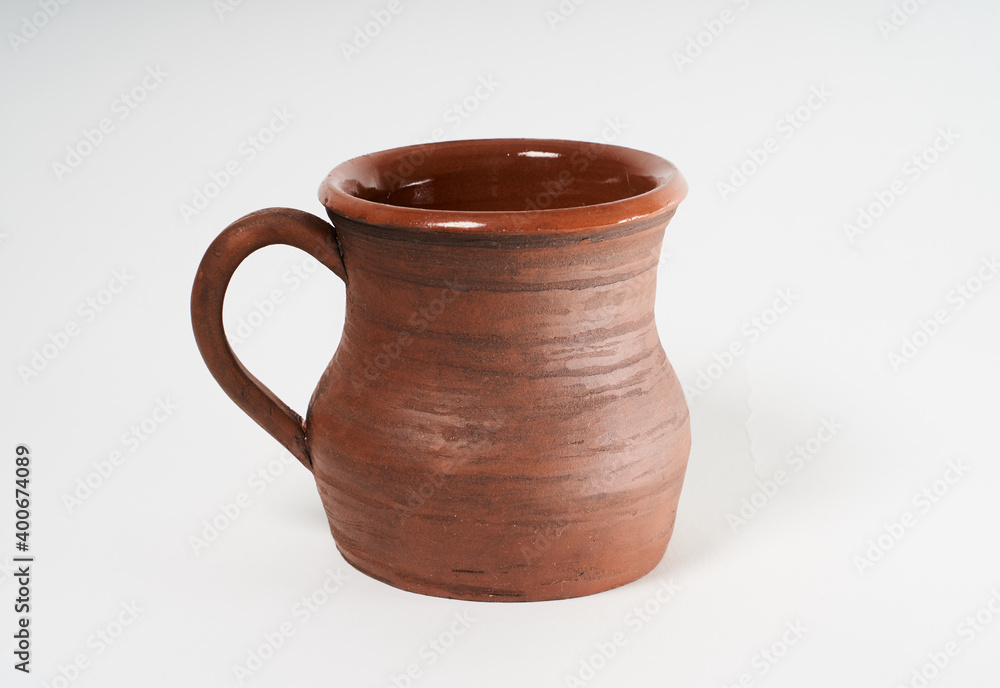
[670, 189]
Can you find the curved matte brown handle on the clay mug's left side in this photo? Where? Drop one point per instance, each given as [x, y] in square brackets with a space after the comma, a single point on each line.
[237, 241]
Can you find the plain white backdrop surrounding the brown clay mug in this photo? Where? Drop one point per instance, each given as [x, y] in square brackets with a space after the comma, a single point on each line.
[727, 255]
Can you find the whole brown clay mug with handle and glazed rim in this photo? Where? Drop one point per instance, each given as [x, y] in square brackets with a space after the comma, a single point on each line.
[499, 421]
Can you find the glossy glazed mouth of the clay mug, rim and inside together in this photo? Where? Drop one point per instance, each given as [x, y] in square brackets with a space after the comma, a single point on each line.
[458, 184]
